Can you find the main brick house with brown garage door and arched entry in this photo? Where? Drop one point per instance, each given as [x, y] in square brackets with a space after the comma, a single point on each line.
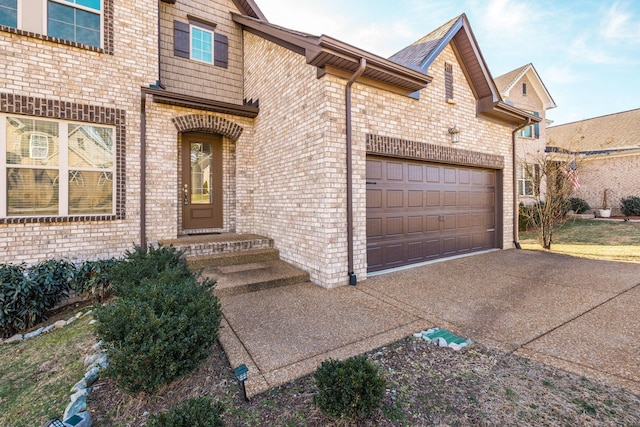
[152, 121]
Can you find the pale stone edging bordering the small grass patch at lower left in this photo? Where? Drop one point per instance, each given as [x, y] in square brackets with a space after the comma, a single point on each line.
[75, 414]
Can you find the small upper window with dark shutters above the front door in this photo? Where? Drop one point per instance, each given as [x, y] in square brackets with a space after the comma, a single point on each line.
[199, 41]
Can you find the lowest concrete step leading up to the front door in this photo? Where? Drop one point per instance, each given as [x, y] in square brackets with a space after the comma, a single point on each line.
[255, 276]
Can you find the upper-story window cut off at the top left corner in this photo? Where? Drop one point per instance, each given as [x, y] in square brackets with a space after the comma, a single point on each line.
[78, 21]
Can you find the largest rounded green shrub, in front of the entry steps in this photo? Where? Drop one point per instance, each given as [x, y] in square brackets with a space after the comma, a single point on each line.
[159, 329]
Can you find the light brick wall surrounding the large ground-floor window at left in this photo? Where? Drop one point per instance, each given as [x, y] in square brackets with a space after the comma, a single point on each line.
[37, 67]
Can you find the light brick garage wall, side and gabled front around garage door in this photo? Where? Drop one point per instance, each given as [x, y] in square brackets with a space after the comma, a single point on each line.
[297, 181]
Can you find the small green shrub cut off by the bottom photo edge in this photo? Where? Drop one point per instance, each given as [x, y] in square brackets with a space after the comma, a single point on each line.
[193, 412]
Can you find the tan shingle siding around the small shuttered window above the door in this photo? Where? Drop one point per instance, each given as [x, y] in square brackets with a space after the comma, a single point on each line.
[197, 78]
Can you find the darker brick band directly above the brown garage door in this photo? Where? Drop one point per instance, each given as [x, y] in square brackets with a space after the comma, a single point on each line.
[397, 147]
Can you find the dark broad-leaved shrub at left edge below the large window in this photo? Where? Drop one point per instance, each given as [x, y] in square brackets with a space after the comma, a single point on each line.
[28, 293]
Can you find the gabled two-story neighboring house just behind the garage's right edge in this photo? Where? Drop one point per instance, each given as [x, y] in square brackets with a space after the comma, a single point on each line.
[523, 88]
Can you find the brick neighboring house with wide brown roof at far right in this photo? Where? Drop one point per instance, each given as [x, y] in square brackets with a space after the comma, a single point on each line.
[607, 152]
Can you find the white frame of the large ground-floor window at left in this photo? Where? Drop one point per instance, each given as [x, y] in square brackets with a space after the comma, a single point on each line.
[63, 167]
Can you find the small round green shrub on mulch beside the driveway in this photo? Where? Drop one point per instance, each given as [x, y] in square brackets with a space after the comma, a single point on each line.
[349, 389]
